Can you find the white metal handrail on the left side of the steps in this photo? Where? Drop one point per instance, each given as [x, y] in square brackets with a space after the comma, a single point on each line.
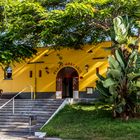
[13, 98]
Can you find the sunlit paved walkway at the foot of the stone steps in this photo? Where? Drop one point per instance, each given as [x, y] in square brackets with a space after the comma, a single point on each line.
[10, 136]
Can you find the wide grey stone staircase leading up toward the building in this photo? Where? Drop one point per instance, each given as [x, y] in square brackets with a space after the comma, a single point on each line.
[39, 110]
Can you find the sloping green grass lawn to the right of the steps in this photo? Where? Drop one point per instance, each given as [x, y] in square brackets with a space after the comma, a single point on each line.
[84, 122]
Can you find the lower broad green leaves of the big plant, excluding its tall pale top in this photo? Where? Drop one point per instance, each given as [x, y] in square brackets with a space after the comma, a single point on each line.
[121, 85]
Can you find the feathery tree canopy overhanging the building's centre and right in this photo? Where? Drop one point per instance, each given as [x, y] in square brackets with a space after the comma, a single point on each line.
[88, 21]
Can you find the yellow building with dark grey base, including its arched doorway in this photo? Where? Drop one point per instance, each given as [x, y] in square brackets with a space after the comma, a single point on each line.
[58, 74]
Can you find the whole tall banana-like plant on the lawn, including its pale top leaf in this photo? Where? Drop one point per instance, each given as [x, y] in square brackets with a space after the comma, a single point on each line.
[121, 85]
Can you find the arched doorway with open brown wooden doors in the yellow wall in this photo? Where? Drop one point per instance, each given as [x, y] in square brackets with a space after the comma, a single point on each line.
[67, 83]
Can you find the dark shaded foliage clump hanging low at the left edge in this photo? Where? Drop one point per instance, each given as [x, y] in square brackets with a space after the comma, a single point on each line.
[12, 51]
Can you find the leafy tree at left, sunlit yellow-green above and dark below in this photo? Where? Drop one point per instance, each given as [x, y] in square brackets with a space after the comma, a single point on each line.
[20, 26]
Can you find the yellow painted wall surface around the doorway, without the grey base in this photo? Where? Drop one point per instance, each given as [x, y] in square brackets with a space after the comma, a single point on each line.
[47, 83]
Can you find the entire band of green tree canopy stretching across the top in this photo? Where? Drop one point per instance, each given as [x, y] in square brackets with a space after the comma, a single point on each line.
[68, 23]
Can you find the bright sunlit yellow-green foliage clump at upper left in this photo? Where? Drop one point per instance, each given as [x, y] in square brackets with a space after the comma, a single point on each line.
[25, 20]
